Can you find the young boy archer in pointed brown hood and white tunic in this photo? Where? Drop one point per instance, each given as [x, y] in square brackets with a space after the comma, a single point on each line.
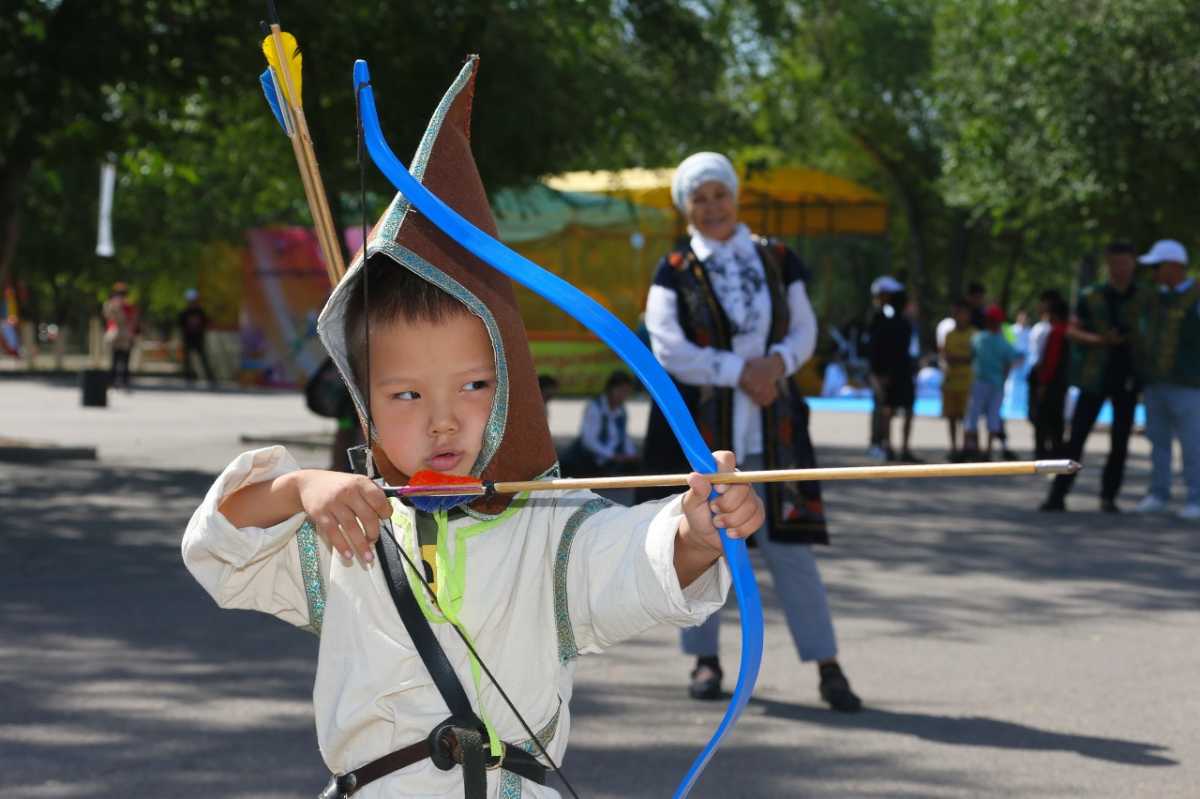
[436, 358]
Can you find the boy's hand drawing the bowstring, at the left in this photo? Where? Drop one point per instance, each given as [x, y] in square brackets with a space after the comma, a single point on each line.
[346, 510]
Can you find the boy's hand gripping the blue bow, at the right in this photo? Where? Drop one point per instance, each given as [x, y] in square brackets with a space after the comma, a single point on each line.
[739, 510]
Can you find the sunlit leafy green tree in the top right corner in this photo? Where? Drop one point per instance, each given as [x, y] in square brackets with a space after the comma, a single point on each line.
[1072, 123]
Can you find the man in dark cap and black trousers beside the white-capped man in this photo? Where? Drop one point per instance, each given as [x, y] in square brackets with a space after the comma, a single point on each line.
[1102, 368]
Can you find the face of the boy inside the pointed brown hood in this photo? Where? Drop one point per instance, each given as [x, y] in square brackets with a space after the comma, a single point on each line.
[431, 392]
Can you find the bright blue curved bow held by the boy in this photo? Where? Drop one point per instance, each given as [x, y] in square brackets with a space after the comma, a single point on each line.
[627, 346]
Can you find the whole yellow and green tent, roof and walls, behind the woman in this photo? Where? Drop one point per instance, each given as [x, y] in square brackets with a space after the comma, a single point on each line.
[605, 232]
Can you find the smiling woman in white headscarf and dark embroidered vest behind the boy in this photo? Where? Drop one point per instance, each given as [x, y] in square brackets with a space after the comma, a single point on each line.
[730, 320]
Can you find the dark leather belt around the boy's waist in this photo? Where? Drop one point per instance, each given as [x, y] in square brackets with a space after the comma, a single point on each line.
[448, 746]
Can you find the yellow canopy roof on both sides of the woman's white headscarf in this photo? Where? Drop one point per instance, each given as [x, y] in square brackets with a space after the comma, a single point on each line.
[784, 202]
